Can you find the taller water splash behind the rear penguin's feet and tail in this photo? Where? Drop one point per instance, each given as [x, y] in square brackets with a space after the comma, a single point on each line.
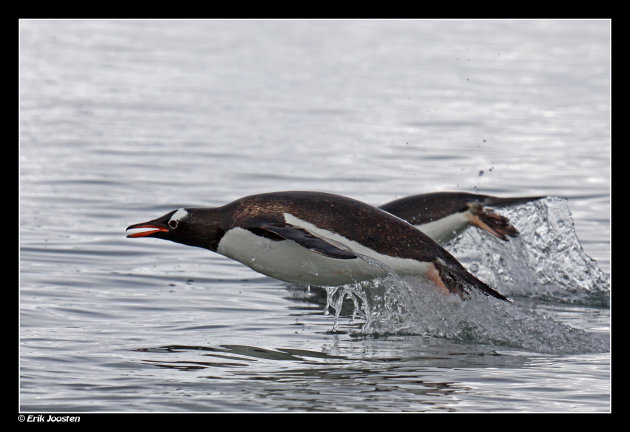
[546, 262]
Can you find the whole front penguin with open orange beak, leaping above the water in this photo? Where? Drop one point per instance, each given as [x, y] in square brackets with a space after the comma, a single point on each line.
[315, 238]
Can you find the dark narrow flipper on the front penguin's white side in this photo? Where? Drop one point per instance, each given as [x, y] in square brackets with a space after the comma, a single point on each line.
[308, 240]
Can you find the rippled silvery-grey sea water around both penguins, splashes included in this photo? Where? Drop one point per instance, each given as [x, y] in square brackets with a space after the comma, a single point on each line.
[122, 121]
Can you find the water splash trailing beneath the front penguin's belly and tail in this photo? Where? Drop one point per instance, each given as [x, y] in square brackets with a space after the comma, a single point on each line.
[394, 306]
